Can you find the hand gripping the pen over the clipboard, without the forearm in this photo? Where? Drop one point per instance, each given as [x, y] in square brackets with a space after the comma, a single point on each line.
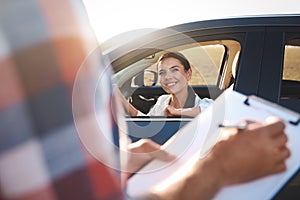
[257, 151]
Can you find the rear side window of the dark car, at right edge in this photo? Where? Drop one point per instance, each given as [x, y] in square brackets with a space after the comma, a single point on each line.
[290, 87]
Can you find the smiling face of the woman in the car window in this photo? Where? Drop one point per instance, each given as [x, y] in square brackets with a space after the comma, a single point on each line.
[173, 77]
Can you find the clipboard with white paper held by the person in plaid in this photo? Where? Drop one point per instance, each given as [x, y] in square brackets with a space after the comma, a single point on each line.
[196, 138]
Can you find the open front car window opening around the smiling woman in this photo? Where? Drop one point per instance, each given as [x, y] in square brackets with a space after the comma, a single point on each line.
[213, 65]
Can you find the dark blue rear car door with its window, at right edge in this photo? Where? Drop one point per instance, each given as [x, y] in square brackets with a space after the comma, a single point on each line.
[281, 64]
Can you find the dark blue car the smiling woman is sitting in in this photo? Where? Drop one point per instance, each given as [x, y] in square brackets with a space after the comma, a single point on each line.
[254, 55]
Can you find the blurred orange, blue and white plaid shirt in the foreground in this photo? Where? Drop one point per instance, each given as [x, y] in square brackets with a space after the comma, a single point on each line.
[42, 46]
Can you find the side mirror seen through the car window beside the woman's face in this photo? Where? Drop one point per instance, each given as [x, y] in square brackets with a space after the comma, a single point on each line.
[145, 78]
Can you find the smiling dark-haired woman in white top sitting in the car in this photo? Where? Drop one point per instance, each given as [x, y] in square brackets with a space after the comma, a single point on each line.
[174, 72]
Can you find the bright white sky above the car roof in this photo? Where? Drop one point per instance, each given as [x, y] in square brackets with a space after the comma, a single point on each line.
[109, 18]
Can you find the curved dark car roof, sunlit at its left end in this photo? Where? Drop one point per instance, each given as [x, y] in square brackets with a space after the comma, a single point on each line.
[117, 51]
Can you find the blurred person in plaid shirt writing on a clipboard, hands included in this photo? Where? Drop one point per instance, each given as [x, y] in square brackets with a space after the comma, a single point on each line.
[50, 146]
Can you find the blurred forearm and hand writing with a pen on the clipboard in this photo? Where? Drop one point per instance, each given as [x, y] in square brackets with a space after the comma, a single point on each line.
[257, 151]
